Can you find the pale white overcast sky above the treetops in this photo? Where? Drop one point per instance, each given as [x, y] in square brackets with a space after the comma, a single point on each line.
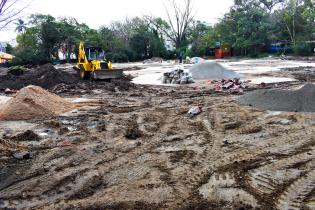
[96, 13]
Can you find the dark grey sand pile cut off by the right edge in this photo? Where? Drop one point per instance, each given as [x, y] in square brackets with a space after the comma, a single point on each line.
[302, 100]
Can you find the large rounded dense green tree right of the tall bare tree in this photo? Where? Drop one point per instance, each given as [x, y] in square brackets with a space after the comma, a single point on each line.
[245, 27]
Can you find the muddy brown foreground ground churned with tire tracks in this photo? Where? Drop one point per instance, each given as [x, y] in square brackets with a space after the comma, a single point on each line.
[136, 148]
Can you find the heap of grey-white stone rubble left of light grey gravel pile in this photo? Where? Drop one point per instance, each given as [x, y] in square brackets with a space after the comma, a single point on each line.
[177, 76]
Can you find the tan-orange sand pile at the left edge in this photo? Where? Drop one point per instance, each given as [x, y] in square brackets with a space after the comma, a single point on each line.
[34, 102]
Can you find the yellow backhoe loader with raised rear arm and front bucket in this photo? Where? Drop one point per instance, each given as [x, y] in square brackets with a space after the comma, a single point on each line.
[93, 65]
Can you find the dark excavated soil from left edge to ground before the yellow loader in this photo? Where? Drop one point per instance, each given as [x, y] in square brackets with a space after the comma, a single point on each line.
[61, 80]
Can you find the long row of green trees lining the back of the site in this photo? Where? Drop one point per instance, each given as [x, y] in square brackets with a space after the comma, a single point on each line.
[249, 27]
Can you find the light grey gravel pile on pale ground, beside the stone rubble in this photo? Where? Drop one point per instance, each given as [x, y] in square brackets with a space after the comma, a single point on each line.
[211, 71]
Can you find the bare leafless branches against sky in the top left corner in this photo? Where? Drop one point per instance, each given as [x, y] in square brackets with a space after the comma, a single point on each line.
[11, 10]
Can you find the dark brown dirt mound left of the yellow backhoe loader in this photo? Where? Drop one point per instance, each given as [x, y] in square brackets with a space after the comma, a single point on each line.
[45, 76]
